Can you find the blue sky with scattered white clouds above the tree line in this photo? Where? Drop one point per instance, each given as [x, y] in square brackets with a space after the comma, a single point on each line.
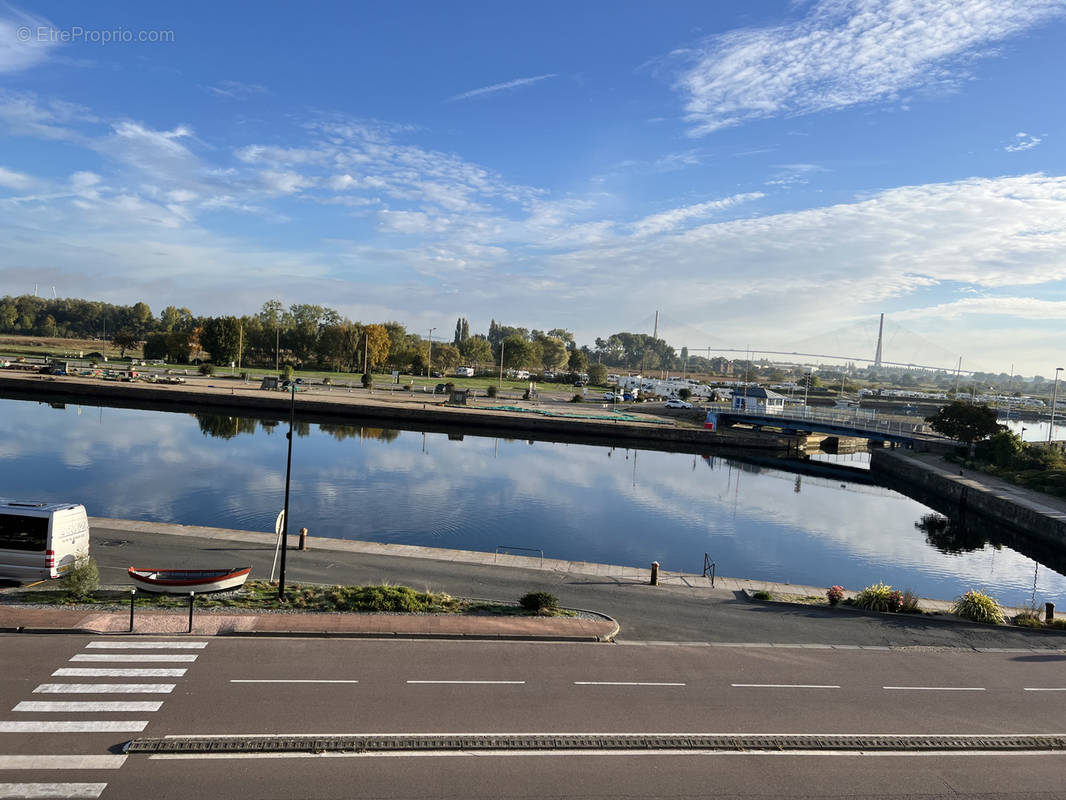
[765, 175]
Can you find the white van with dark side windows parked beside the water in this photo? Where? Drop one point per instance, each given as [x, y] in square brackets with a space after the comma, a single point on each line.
[41, 540]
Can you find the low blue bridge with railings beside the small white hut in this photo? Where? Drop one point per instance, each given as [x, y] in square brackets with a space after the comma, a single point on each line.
[838, 423]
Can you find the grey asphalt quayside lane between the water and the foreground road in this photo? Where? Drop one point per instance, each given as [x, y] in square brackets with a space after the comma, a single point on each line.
[647, 614]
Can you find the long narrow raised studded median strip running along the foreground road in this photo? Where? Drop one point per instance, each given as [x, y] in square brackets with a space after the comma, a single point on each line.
[877, 743]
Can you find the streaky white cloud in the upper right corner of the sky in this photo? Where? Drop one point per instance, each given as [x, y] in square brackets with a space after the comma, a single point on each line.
[846, 53]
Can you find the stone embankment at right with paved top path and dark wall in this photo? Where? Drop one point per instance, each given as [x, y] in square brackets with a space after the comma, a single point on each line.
[965, 493]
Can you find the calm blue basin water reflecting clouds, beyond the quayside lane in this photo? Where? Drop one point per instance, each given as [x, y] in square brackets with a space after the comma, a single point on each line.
[573, 502]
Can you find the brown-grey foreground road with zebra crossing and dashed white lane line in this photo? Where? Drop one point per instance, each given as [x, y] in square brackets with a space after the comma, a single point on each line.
[188, 686]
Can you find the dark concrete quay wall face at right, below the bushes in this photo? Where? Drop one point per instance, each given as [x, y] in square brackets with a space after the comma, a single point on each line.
[960, 498]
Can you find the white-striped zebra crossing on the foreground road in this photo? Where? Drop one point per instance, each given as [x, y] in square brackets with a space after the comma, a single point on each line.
[119, 660]
